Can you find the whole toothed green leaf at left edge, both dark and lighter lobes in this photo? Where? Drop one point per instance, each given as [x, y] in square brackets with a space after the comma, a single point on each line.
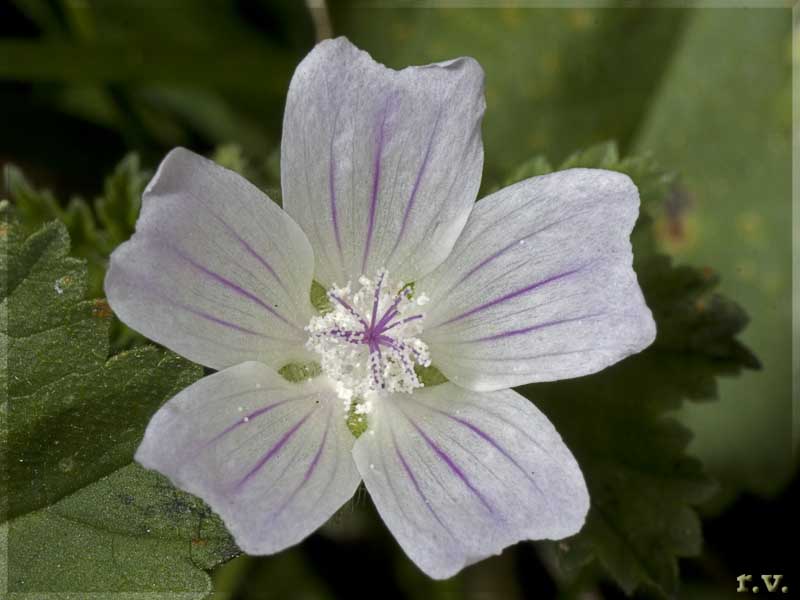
[78, 515]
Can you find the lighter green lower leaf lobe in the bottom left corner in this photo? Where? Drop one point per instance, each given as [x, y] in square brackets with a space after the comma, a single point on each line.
[128, 532]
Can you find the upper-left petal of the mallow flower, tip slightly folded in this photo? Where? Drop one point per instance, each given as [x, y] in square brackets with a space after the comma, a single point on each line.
[215, 271]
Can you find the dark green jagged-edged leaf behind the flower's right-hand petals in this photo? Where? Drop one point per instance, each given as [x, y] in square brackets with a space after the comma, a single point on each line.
[642, 483]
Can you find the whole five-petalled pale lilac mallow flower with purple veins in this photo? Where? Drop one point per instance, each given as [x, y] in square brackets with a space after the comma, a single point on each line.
[379, 172]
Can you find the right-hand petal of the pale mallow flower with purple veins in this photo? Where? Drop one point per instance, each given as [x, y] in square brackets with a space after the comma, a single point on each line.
[540, 285]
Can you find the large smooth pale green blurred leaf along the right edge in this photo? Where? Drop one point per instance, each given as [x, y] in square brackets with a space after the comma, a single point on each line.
[723, 119]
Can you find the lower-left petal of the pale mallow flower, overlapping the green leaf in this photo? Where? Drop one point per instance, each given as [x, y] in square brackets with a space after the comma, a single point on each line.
[272, 458]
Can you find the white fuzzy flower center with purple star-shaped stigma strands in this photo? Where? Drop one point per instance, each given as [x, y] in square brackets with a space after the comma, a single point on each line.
[369, 341]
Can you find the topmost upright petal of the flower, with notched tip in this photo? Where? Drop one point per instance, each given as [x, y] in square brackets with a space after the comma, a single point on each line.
[380, 167]
